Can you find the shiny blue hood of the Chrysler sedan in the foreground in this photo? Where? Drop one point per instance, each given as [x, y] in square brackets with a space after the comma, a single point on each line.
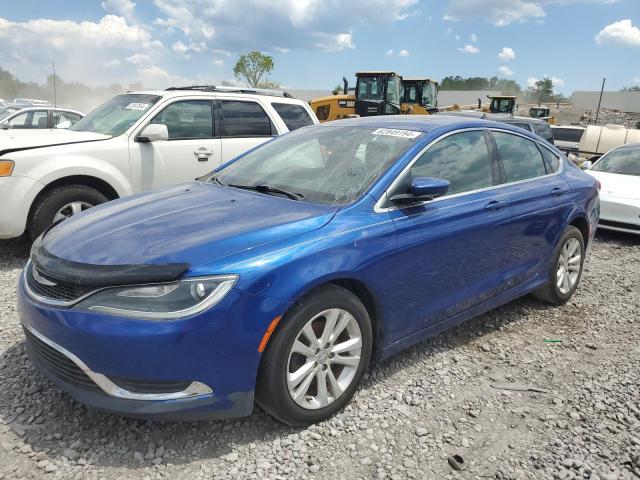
[193, 223]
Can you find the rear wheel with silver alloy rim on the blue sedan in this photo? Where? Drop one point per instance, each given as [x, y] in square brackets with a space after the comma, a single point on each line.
[565, 270]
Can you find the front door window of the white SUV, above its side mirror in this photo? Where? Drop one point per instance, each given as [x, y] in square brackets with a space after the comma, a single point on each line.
[188, 119]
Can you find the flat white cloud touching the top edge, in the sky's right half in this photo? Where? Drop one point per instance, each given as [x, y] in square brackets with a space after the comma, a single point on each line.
[505, 12]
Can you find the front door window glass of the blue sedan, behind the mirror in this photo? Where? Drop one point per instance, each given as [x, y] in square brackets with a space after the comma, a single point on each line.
[462, 158]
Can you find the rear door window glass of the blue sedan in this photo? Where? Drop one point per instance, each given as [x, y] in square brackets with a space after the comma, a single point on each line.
[520, 157]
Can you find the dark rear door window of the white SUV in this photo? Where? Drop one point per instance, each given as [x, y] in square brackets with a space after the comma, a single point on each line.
[245, 119]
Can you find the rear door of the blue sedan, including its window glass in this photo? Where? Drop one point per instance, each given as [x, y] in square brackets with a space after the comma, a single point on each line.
[538, 202]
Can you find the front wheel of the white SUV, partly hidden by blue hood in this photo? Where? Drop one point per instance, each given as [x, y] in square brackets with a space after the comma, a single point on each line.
[60, 203]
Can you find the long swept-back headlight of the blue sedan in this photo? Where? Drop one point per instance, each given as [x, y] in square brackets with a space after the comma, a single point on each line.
[163, 301]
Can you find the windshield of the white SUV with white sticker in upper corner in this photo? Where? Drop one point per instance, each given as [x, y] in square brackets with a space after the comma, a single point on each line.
[115, 116]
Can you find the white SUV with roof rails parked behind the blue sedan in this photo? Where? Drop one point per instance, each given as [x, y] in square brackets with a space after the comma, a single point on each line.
[134, 142]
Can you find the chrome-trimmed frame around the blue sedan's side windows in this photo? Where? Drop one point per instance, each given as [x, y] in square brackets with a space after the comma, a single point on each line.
[382, 205]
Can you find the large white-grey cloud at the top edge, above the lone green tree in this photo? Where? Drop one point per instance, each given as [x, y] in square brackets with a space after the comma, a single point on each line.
[267, 24]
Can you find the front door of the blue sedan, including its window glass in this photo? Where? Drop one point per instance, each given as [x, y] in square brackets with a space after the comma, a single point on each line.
[450, 249]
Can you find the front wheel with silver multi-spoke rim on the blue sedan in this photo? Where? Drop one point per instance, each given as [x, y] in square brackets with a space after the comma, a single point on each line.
[317, 357]
